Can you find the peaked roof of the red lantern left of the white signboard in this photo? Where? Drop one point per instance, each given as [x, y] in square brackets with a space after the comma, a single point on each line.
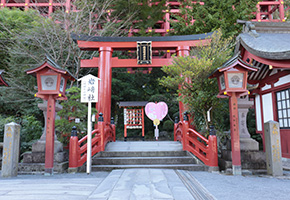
[52, 65]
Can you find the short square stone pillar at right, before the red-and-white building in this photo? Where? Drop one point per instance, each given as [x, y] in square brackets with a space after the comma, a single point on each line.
[273, 148]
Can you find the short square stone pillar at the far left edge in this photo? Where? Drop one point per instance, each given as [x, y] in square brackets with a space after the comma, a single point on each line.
[11, 150]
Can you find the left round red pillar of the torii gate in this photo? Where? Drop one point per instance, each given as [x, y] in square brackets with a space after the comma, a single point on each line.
[105, 86]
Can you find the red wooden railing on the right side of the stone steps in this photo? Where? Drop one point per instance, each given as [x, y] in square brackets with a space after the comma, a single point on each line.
[192, 141]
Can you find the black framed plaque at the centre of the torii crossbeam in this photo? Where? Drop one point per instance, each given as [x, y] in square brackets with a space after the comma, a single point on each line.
[144, 52]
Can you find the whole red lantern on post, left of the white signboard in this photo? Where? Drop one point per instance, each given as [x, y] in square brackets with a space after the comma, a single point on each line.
[51, 82]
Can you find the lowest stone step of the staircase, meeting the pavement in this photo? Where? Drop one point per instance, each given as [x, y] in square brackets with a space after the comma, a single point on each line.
[190, 167]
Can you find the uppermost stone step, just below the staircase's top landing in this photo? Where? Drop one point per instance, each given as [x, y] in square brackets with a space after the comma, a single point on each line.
[141, 153]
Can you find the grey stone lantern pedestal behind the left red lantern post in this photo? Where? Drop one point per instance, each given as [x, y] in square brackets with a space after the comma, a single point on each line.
[39, 146]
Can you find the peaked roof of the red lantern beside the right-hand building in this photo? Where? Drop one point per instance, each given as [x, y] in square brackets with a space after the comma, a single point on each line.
[231, 63]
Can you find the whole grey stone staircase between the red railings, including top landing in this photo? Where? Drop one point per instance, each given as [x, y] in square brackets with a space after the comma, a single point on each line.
[126, 155]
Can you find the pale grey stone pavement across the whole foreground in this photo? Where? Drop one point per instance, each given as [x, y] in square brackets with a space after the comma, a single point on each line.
[143, 184]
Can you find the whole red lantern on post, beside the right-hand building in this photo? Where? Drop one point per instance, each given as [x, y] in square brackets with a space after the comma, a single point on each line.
[232, 81]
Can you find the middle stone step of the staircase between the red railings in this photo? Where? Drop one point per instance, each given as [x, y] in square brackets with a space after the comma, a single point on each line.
[143, 160]
